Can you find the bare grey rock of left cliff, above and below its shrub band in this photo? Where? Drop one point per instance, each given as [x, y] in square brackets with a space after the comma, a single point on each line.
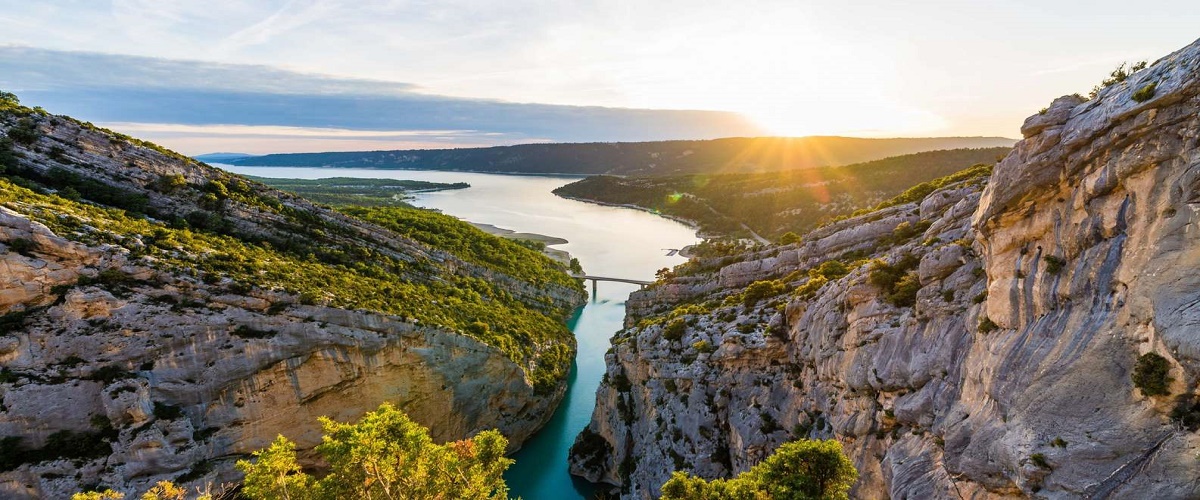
[175, 375]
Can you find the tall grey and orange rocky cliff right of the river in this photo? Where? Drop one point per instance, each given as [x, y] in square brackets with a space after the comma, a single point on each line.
[997, 360]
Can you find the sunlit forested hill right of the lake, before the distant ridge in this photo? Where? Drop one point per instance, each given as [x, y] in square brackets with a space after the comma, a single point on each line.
[775, 203]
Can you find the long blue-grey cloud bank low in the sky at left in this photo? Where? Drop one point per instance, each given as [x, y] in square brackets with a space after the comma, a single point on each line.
[122, 89]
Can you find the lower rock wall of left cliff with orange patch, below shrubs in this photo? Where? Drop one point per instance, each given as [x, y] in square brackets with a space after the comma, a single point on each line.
[191, 377]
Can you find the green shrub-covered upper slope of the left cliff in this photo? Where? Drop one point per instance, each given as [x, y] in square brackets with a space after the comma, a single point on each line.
[242, 234]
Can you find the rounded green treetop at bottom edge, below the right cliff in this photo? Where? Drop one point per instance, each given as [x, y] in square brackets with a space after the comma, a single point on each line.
[803, 469]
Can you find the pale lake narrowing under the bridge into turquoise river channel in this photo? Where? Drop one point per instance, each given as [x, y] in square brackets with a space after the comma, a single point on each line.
[609, 242]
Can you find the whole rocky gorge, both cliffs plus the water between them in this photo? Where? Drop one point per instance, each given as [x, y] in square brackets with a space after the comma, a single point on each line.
[1015, 330]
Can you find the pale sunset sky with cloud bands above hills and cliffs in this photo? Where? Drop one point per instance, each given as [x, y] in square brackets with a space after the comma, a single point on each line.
[275, 76]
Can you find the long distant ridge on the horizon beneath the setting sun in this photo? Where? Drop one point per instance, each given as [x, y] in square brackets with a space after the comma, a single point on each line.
[670, 158]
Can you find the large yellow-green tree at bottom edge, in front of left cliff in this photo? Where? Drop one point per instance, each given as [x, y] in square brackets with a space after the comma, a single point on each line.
[386, 455]
